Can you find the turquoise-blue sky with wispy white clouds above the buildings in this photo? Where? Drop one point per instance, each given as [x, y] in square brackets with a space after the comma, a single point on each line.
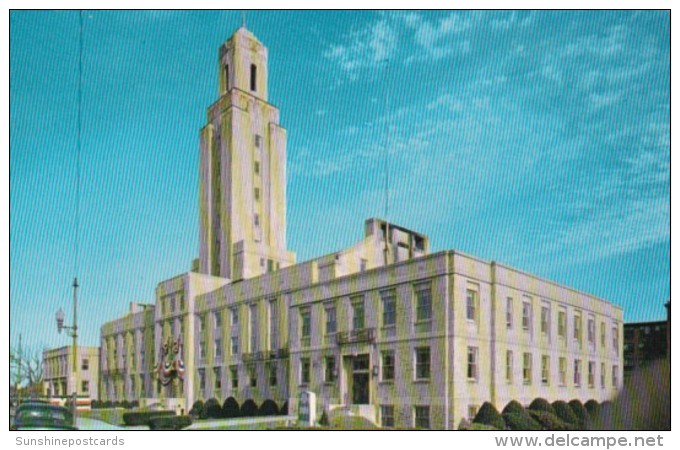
[539, 140]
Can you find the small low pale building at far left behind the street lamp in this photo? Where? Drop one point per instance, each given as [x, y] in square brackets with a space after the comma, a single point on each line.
[59, 377]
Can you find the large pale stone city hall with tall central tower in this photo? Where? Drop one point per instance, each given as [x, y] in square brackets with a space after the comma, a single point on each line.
[385, 329]
